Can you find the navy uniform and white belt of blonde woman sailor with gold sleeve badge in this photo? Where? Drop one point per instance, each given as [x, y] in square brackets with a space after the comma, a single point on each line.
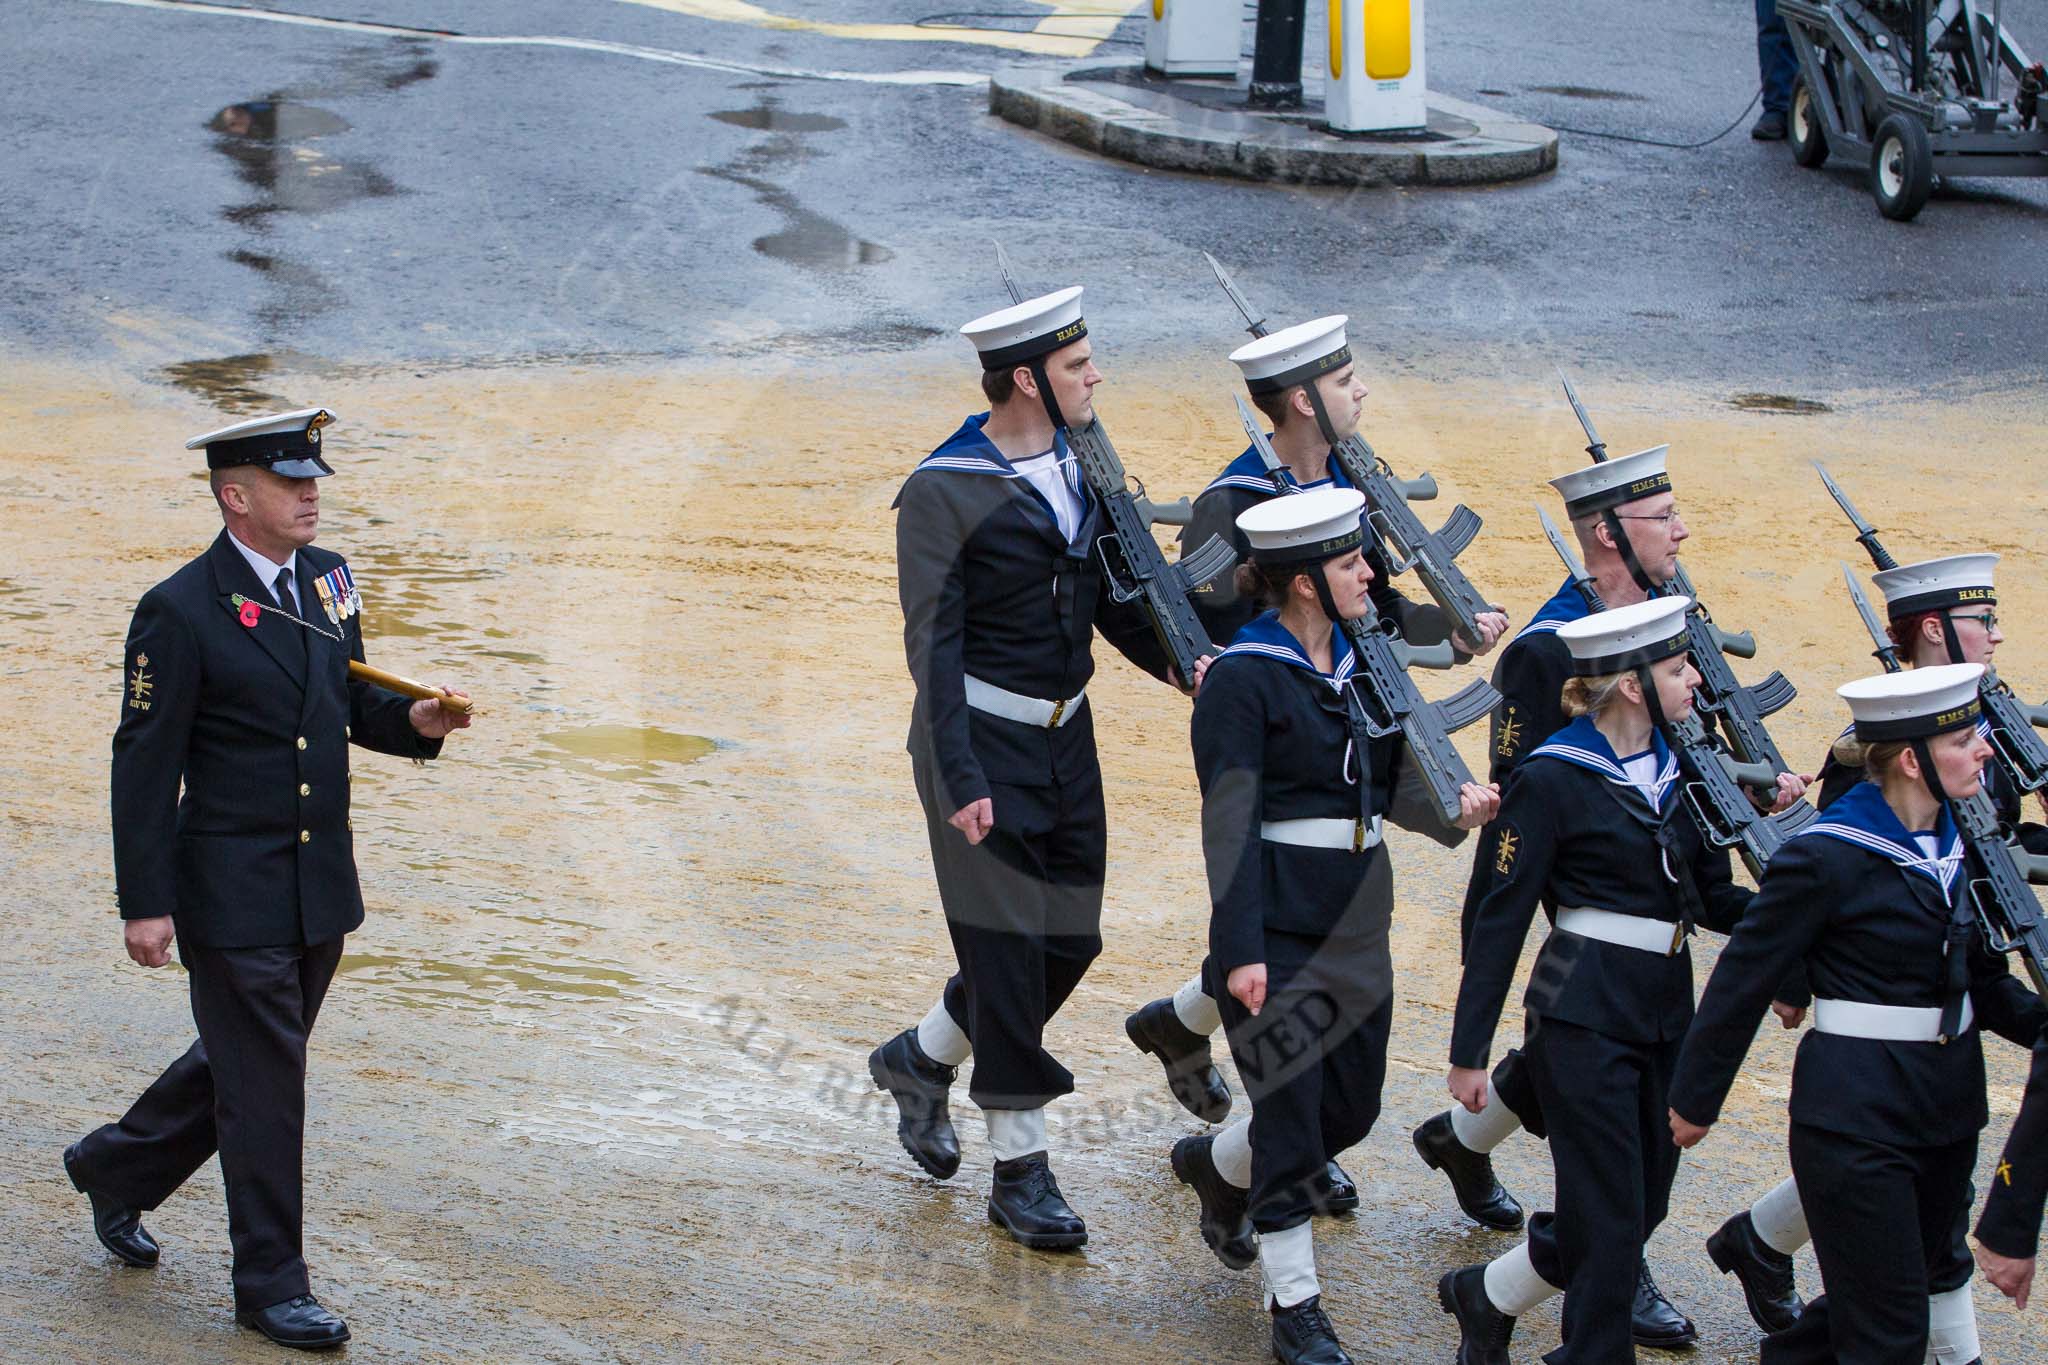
[1605, 1018]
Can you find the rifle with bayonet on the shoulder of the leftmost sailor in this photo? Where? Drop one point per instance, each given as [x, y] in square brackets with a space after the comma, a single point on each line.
[1144, 570]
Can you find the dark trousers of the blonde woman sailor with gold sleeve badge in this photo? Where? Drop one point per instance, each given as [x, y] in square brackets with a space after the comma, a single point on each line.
[1611, 1145]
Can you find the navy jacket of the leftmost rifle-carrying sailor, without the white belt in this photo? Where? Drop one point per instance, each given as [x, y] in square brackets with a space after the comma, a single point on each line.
[992, 590]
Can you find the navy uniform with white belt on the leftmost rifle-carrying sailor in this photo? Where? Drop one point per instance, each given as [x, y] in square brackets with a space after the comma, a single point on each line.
[998, 617]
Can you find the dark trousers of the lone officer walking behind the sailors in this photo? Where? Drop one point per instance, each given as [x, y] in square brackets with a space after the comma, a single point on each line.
[241, 1090]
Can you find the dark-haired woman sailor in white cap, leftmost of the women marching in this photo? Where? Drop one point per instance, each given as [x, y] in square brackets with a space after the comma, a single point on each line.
[1295, 795]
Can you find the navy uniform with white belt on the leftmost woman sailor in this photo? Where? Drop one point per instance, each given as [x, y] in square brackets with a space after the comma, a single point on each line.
[1281, 760]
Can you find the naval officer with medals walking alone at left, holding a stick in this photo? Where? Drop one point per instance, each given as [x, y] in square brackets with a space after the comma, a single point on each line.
[237, 689]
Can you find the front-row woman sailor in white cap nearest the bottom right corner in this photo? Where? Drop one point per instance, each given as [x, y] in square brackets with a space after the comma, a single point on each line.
[1889, 1088]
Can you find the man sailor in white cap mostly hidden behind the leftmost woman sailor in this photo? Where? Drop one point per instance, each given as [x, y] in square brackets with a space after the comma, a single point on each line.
[1304, 380]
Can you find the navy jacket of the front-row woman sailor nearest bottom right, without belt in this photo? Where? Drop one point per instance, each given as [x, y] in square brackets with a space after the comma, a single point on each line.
[1871, 918]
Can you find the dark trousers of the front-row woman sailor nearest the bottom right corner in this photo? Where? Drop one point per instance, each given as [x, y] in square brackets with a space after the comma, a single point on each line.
[1883, 1227]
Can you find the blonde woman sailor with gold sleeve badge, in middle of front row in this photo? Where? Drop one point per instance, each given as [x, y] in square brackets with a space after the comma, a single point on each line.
[1594, 830]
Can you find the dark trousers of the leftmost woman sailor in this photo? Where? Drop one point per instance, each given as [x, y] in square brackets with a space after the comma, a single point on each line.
[1314, 1063]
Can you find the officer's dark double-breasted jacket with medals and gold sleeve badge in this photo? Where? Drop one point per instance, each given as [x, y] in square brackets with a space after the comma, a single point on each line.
[257, 723]
